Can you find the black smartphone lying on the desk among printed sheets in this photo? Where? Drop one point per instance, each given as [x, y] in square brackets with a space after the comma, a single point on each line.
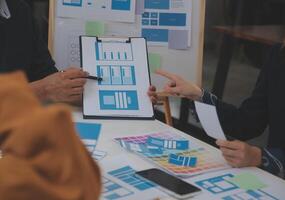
[170, 184]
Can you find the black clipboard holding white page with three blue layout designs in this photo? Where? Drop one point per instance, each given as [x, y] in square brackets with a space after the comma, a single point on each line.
[122, 63]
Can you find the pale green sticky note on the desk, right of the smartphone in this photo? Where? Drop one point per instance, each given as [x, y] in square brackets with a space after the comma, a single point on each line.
[247, 181]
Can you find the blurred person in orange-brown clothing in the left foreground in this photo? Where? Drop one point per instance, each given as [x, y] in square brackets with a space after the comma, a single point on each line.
[42, 156]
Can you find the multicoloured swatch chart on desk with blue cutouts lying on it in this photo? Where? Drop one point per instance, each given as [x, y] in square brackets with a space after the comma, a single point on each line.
[208, 160]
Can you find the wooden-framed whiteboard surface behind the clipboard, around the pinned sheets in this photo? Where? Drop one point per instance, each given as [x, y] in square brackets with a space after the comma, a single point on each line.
[64, 43]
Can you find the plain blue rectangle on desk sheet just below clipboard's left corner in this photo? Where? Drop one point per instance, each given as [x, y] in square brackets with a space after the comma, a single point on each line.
[88, 130]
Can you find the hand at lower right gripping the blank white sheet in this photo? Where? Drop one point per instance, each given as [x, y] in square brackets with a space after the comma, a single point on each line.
[240, 154]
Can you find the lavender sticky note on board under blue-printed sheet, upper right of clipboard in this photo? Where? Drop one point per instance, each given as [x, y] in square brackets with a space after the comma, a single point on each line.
[178, 39]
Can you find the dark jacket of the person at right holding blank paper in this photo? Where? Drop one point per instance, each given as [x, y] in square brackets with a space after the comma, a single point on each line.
[265, 107]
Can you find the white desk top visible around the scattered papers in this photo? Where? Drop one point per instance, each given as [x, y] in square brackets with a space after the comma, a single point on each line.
[118, 128]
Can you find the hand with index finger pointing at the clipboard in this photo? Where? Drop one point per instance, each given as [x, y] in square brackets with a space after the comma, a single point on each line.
[179, 87]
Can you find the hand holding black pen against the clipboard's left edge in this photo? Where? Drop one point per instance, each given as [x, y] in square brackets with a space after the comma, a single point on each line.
[65, 86]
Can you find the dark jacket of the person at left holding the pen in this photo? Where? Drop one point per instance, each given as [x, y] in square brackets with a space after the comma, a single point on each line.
[21, 47]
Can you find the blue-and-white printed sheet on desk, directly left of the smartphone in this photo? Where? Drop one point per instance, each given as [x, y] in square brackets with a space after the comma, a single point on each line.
[121, 182]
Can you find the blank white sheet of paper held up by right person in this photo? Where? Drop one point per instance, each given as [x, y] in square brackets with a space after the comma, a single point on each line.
[209, 119]
